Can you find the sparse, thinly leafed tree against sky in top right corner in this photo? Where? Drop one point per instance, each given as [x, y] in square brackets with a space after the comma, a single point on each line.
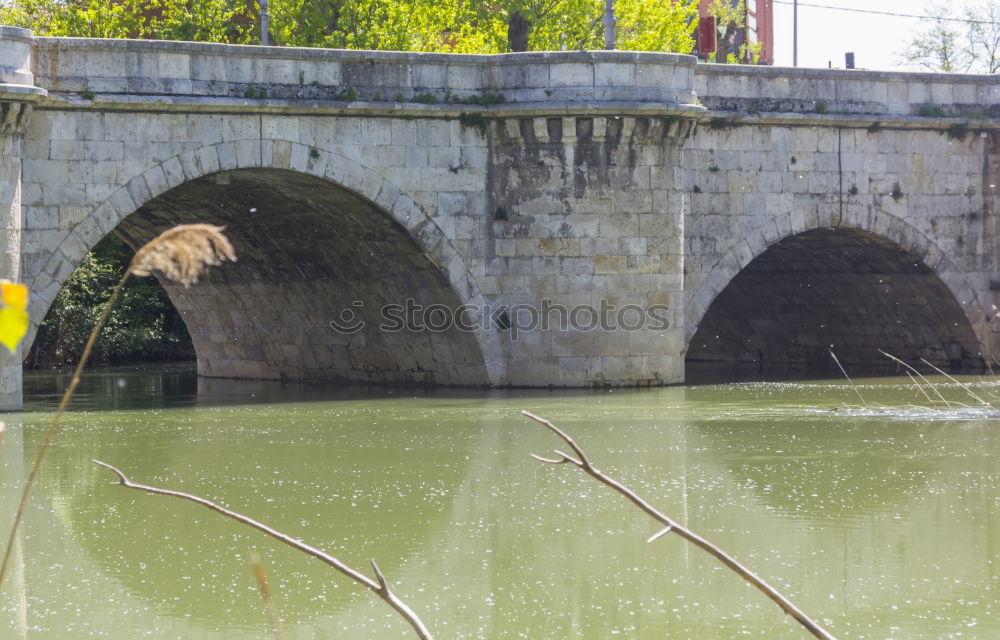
[958, 42]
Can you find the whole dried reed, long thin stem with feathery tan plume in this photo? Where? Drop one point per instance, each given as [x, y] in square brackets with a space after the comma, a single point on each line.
[180, 254]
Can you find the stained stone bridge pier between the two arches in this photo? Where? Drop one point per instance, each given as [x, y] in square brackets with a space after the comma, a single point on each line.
[586, 262]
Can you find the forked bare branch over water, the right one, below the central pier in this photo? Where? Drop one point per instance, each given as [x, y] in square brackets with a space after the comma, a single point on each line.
[670, 526]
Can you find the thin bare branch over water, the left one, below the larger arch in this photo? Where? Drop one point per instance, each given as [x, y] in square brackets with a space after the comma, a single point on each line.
[380, 587]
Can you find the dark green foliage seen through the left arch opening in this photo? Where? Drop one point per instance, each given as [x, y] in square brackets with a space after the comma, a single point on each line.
[143, 325]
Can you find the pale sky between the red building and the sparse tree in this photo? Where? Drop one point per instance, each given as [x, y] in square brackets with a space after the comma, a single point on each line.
[826, 34]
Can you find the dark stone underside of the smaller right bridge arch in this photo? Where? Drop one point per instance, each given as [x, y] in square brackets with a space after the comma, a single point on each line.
[844, 290]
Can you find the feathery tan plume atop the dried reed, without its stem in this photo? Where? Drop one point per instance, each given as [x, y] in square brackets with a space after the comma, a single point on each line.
[183, 253]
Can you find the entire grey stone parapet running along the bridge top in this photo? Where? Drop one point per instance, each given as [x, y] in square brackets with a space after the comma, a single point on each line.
[185, 74]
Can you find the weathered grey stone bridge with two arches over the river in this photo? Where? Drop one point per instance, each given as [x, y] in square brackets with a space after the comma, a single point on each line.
[535, 219]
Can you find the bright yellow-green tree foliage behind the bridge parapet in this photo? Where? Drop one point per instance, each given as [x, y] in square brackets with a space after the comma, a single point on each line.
[460, 26]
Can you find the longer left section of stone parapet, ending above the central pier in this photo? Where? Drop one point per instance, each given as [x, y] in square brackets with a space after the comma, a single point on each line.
[239, 71]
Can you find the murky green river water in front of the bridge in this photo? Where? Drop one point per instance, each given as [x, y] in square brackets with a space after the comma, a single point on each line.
[880, 521]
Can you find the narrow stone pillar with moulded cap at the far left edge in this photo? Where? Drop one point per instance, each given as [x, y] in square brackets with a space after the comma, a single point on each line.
[17, 94]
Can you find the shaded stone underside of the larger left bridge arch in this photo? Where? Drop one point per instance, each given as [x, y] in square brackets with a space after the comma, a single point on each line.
[307, 250]
